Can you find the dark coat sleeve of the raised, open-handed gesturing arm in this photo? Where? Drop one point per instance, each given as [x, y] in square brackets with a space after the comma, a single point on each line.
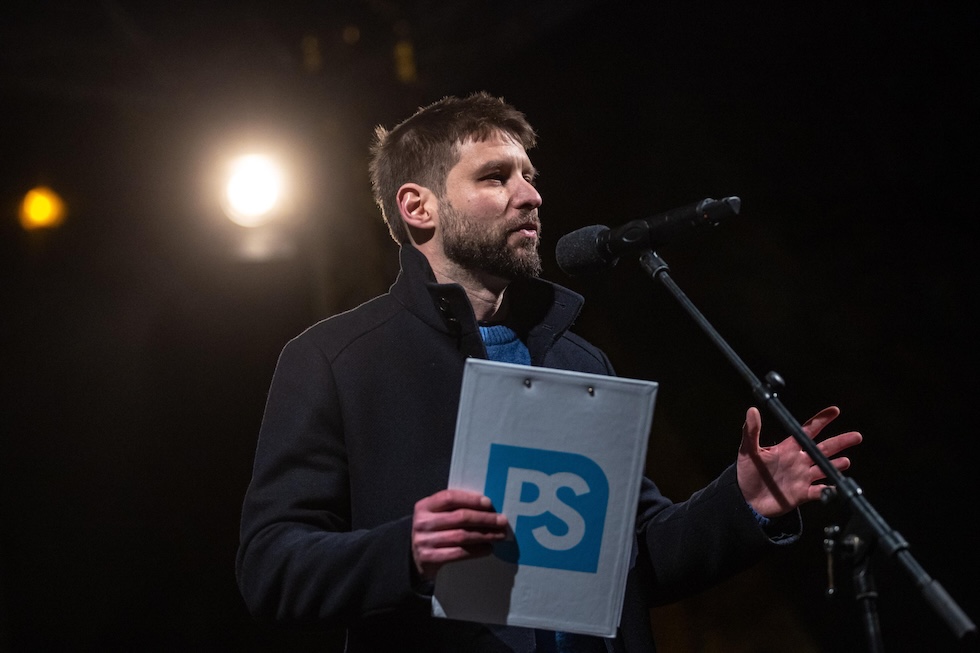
[689, 546]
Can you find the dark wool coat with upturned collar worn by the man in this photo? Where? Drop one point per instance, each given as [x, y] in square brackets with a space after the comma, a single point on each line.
[359, 426]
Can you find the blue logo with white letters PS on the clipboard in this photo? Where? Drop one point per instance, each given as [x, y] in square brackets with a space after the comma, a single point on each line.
[556, 503]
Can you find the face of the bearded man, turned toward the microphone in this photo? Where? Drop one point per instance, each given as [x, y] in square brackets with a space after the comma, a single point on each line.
[489, 215]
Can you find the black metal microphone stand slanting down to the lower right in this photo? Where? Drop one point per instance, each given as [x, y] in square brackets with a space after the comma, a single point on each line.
[867, 529]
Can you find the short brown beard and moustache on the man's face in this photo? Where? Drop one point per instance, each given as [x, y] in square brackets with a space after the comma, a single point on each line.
[483, 247]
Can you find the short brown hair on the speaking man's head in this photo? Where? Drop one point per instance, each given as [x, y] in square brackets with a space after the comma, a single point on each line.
[424, 148]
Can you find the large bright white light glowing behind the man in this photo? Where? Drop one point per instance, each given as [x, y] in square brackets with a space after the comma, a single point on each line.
[253, 188]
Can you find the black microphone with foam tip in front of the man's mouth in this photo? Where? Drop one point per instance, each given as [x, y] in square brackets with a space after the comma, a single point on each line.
[596, 248]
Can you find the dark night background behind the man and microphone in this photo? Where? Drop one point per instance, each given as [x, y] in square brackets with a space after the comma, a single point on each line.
[138, 346]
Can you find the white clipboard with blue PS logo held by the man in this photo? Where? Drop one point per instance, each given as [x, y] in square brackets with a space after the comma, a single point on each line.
[562, 455]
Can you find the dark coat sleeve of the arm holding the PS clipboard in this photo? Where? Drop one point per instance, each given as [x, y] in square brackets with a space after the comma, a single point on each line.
[298, 560]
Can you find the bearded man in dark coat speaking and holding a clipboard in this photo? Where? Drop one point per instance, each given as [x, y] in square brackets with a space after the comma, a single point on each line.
[347, 519]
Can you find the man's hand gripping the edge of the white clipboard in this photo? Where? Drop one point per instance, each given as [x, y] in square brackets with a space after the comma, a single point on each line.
[453, 525]
